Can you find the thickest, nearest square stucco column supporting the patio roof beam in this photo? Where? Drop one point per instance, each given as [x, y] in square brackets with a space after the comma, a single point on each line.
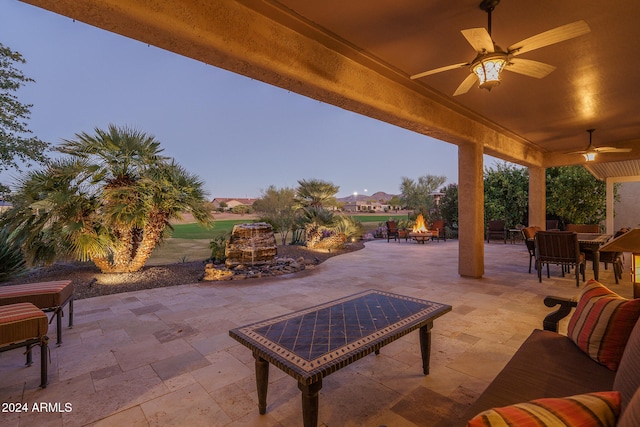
[470, 211]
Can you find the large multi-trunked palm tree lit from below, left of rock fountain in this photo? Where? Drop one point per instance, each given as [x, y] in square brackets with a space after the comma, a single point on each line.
[109, 200]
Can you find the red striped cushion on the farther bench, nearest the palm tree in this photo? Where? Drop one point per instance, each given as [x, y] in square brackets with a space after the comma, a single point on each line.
[42, 295]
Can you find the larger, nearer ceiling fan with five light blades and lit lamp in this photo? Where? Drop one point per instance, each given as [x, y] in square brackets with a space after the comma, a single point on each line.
[491, 59]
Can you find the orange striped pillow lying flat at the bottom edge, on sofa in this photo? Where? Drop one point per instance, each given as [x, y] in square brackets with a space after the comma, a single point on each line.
[599, 409]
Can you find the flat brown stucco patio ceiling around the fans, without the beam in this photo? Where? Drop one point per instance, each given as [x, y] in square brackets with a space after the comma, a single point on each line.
[593, 86]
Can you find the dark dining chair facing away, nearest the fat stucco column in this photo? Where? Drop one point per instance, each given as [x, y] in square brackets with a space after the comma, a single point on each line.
[560, 248]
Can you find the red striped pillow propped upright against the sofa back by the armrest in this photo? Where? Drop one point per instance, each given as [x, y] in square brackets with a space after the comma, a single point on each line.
[602, 323]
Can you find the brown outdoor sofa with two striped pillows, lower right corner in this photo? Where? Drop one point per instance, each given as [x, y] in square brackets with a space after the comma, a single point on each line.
[594, 369]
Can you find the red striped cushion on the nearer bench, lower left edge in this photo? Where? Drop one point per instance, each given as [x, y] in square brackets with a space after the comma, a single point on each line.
[20, 322]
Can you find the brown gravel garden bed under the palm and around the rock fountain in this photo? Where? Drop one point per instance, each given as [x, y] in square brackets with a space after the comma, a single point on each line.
[89, 282]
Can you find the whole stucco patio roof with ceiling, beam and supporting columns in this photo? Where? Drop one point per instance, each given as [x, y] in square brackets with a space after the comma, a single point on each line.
[360, 55]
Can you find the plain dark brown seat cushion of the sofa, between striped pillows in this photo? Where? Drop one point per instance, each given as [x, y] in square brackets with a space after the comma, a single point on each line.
[547, 364]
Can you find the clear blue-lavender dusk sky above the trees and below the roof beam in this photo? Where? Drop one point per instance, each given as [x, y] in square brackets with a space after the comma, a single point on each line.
[237, 134]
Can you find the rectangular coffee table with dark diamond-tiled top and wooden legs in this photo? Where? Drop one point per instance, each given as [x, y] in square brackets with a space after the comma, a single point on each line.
[312, 343]
